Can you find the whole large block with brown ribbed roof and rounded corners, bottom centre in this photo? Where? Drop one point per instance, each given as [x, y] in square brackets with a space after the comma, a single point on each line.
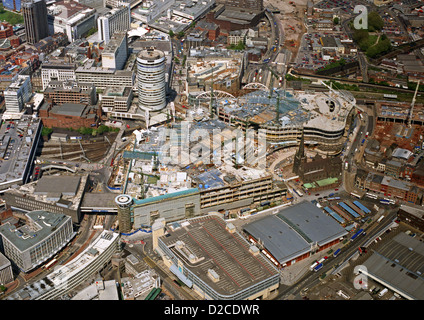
[214, 260]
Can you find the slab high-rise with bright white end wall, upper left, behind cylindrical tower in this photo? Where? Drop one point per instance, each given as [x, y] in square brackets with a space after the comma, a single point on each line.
[117, 19]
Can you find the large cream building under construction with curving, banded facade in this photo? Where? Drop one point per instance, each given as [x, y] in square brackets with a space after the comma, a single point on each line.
[321, 117]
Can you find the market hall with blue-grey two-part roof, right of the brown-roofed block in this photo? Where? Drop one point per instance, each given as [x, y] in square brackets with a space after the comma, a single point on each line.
[294, 233]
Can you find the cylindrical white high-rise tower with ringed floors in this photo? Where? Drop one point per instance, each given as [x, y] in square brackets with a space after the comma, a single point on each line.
[151, 80]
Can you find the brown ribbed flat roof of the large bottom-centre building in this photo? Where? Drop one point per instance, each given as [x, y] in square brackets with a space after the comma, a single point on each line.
[215, 248]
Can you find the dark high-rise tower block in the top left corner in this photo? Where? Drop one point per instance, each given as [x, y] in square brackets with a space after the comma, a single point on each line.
[35, 19]
